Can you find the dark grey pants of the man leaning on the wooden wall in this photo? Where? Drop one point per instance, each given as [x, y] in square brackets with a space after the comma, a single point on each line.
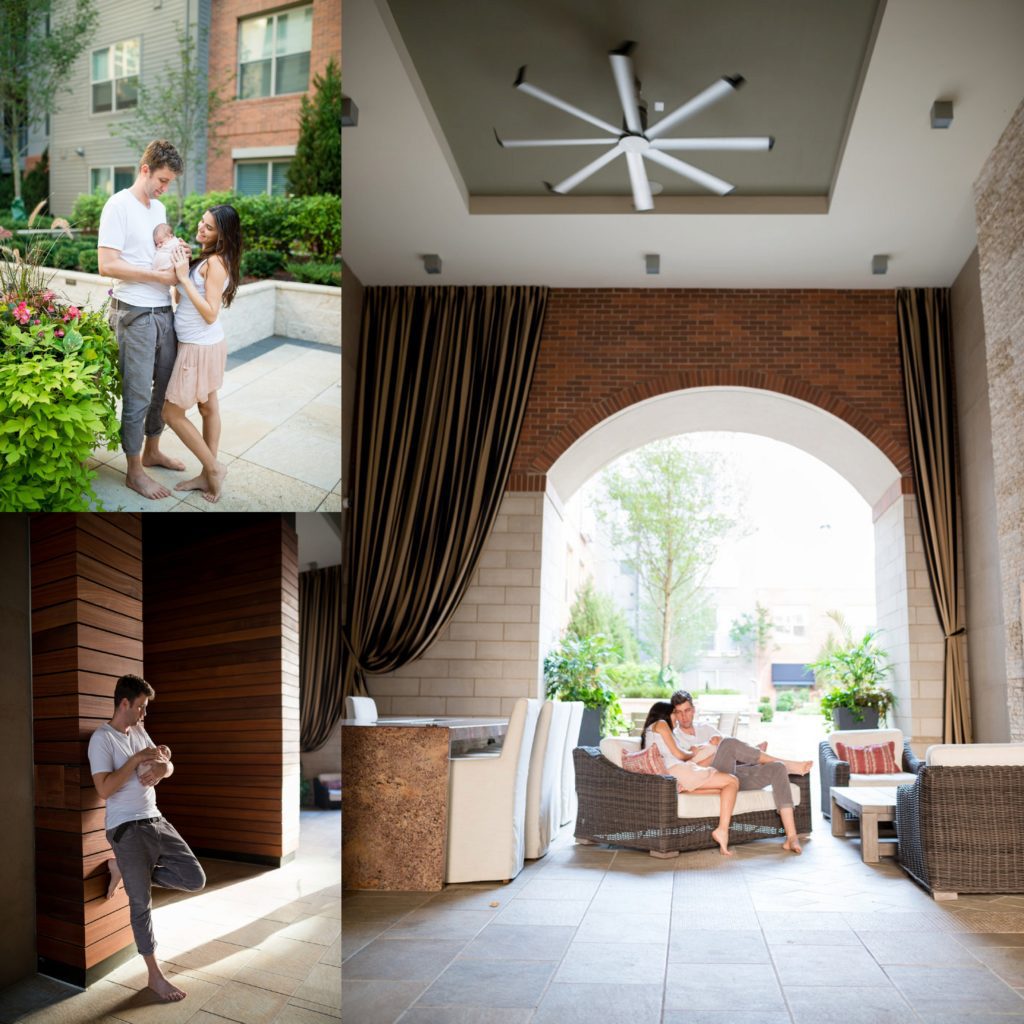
[152, 854]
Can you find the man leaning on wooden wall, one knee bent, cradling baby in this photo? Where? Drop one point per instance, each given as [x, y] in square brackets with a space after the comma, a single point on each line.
[126, 767]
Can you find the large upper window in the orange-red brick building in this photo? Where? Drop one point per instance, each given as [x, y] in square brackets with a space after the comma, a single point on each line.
[274, 54]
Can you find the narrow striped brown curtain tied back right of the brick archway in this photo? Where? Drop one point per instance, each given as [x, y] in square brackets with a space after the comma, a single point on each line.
[926, 351]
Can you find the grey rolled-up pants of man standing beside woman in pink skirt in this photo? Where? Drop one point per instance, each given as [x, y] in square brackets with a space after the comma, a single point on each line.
[147, 348]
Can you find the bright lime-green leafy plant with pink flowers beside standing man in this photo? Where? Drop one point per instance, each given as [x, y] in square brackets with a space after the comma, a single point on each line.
[58, 398]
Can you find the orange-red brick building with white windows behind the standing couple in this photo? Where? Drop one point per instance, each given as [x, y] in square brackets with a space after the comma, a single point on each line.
[266, 56]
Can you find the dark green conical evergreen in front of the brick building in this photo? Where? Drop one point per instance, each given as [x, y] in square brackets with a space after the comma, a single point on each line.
[316, 169]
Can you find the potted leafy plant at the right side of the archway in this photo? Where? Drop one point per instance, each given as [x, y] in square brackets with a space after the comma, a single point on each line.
[856, 669]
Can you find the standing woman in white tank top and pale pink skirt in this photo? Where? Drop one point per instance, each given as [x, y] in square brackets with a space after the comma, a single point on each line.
[204, 285]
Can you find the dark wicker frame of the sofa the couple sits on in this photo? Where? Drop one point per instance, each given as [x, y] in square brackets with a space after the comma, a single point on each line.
[642, 813]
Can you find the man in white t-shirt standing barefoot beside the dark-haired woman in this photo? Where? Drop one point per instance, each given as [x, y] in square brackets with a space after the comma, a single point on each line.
[141, 313]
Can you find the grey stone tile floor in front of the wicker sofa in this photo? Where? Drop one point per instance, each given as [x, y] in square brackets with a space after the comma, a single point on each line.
[605, 936]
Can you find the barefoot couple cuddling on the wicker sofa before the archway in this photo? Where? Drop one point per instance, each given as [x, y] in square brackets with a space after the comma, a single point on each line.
[703, 761]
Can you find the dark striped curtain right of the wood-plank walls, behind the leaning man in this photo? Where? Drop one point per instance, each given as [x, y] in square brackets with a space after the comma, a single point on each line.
[320, 655]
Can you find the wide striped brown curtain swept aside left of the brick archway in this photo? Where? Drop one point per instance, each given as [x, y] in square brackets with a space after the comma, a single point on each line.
[443, 383]
